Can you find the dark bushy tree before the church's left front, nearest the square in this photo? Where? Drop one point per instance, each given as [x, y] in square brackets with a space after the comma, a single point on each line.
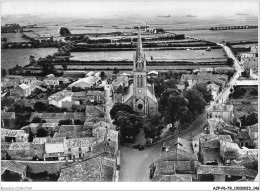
[128, 124]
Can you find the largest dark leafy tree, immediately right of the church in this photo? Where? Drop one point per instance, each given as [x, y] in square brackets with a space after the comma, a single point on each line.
[172, 105]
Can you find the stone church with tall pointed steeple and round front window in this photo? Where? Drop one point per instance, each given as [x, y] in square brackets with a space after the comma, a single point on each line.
[139, 95]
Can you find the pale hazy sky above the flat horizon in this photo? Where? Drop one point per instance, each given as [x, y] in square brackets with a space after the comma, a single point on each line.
[102, 8]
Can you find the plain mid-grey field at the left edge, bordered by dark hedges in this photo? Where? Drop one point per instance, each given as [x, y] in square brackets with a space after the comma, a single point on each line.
[12, 57]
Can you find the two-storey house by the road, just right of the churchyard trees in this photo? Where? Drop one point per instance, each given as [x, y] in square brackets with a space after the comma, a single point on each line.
[222, 111]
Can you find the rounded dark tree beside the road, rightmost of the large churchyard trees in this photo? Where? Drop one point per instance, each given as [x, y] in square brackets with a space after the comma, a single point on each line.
[196, 102]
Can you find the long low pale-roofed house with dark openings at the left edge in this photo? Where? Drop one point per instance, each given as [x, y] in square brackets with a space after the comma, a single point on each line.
[8, 135]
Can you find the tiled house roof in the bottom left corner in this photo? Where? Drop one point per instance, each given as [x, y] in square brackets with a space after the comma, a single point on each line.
[13, 167]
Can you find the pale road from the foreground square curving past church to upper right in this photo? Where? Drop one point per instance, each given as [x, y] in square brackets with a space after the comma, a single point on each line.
[135, 164]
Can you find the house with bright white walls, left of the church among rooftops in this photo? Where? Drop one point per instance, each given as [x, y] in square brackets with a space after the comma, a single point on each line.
[59, 97]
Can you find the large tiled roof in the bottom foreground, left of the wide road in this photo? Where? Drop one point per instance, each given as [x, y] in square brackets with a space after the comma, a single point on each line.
[96, 169]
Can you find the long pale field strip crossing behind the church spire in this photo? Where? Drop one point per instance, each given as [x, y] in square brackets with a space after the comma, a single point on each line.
[185, 55]
